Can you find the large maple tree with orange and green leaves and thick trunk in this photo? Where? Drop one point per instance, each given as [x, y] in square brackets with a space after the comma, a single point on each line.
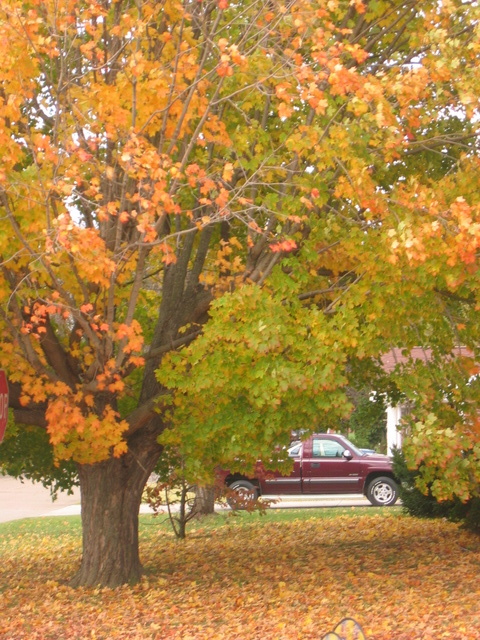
[303, 173]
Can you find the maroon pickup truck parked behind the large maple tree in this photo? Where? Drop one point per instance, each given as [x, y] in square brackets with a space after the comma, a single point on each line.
[325, 464]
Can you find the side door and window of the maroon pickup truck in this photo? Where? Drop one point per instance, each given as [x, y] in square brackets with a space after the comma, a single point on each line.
[327, 471]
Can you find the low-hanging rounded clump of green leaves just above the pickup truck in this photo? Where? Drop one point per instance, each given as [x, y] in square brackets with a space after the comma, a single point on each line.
[261, 370]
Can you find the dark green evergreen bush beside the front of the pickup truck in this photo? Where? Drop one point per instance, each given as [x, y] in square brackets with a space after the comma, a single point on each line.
[420, 505]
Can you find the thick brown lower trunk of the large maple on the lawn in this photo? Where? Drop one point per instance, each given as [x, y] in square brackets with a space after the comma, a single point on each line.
[111, 494]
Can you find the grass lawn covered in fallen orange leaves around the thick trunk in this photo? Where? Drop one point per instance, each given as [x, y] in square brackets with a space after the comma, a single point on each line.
[401, 578]
